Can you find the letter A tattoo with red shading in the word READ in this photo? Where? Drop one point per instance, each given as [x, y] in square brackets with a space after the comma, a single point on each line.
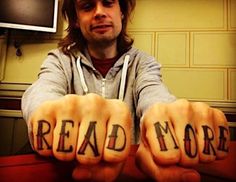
[86, 142]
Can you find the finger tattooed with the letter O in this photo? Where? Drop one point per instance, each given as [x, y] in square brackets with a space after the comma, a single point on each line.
[181, 117]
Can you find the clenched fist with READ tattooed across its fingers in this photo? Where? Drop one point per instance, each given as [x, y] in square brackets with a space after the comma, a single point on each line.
[87, 128]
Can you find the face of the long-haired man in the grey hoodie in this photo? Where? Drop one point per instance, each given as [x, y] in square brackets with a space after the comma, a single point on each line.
[100, 21]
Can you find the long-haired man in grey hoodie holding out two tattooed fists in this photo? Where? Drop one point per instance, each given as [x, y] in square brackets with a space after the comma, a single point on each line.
[75, 110]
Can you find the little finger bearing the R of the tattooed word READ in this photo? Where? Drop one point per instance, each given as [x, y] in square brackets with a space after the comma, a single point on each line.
[43, 123]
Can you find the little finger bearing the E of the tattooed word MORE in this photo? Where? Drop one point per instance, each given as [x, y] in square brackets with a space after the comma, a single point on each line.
[222, 133]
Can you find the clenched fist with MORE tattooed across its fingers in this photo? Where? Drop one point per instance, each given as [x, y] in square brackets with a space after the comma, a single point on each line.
[181, 134]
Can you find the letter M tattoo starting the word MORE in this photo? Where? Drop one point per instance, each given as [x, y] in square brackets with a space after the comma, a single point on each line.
[159, 128]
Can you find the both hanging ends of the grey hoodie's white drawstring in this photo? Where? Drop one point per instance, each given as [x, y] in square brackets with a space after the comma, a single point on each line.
[122, 82]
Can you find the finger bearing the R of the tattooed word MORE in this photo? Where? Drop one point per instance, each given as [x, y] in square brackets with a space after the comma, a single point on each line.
[203, 121]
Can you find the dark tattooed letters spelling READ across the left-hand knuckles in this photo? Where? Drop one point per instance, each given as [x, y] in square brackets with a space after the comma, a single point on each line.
[89, 140]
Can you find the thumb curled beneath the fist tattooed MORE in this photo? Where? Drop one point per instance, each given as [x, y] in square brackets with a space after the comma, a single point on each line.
[146, 164]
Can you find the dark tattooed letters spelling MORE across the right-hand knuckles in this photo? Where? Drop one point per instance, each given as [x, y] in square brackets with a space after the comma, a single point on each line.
[163, 130]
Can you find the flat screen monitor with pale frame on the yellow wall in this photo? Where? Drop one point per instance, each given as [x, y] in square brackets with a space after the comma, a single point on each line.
[36, 15]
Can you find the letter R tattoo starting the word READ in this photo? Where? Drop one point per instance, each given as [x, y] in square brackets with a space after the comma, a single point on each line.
[40, 134]
